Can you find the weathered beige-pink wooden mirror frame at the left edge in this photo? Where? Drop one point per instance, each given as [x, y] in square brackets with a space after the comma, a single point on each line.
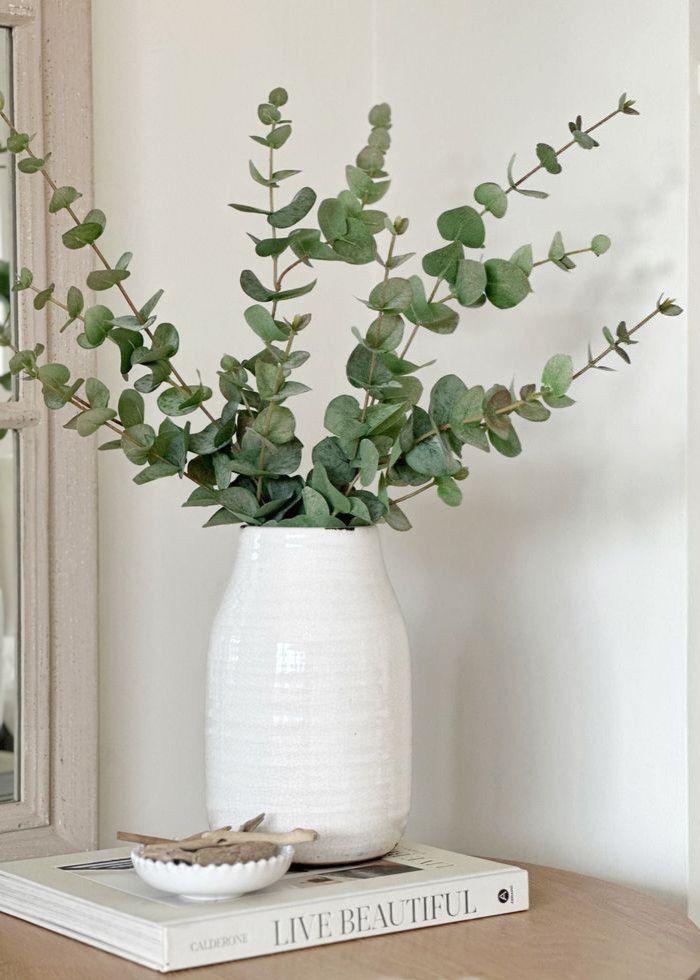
[57, 806]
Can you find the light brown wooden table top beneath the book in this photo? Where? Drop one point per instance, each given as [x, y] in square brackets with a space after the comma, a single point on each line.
[577, 928]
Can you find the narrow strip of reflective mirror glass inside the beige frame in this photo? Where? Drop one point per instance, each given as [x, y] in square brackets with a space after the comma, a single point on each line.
[9, 446]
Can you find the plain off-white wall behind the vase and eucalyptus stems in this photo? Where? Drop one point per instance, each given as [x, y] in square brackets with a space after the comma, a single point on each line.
[547, 616]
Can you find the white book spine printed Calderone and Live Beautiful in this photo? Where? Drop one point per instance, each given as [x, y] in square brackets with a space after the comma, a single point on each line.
[381, 912]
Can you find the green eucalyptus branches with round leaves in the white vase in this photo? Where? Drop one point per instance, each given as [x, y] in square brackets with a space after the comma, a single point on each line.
[244, 455]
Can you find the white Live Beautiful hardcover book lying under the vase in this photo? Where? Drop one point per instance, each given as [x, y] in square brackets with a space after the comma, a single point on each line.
[412, 887]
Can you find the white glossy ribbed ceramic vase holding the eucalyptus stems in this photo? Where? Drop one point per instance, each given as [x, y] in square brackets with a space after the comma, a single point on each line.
[308, 693]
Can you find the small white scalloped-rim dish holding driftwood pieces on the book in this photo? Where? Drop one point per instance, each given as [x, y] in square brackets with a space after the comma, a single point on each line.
[211, 882]
